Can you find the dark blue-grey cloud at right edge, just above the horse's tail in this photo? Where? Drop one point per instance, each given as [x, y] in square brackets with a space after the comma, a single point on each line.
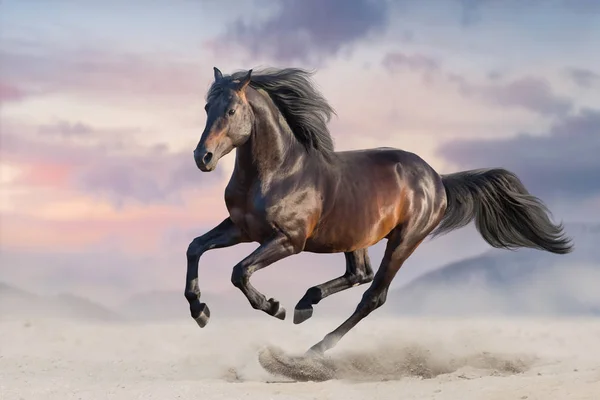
[562, 163]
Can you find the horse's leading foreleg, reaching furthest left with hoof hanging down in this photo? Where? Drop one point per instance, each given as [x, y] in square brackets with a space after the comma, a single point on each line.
[225, 234]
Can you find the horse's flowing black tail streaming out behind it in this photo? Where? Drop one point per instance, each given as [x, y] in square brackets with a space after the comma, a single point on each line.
[505, 214]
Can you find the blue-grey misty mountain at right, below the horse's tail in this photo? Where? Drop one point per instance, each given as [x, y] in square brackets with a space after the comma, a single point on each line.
[522, 282]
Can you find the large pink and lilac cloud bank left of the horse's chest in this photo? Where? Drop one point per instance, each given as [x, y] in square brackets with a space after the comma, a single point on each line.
[99, 188]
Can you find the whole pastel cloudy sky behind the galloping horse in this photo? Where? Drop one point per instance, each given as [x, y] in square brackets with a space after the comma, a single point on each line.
[101, 105]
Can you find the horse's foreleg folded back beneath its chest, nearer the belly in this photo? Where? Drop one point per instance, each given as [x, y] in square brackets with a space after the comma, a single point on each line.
[265, 255]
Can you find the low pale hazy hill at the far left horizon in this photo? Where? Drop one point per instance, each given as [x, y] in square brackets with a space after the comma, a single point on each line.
[18, 303]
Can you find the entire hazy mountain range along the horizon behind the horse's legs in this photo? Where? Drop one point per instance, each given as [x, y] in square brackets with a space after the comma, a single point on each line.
[497, 282]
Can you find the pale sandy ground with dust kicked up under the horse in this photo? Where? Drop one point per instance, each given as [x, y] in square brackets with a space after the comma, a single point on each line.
[381, 359]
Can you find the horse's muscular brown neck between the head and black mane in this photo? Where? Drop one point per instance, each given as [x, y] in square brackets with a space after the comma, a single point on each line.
[271, 146]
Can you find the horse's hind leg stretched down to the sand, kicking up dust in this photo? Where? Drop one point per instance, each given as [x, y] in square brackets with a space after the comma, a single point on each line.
[400, 246]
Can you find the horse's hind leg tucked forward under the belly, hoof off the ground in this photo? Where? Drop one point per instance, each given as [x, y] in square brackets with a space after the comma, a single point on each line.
[358, 272]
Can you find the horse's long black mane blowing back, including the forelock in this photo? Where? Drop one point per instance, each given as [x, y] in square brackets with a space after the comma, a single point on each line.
[304, 108]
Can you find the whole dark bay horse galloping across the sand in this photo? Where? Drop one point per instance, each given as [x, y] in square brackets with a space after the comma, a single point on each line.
[291, 192]
